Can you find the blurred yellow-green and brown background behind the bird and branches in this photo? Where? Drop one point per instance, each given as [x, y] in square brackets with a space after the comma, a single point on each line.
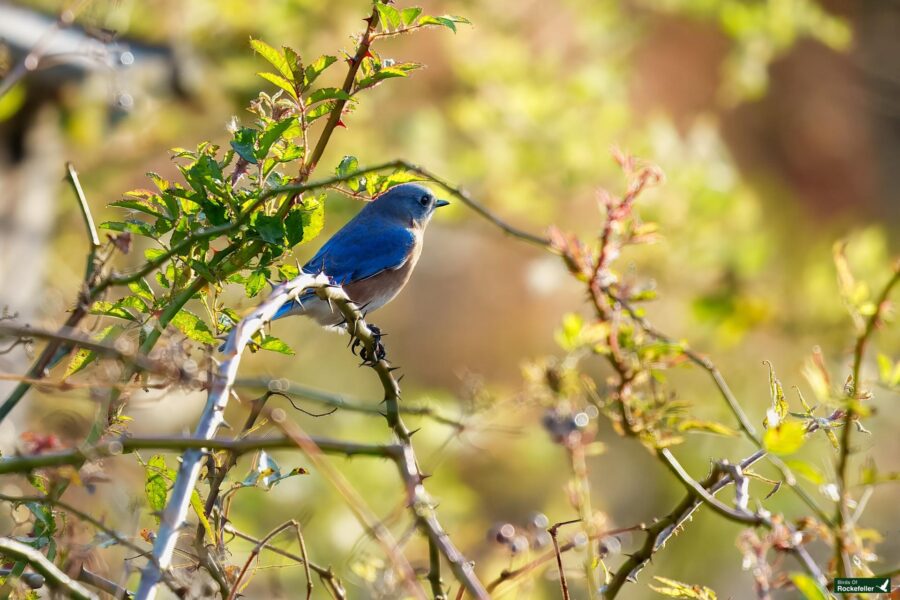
[776, 122]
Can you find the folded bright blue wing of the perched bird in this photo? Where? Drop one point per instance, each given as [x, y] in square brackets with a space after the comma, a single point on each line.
[359, 251]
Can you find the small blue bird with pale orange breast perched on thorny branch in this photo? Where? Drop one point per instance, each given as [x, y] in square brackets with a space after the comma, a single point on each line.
[373, 255]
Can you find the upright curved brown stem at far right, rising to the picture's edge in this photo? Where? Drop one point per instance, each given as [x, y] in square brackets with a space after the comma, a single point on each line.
[842, 557]
